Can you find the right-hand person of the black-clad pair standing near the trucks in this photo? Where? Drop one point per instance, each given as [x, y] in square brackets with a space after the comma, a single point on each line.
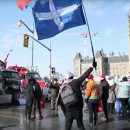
[37, 96]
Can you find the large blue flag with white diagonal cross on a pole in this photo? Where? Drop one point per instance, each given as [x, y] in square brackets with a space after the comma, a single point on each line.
[54, 16]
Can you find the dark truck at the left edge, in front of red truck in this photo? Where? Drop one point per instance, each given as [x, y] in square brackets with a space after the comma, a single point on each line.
[9, 86]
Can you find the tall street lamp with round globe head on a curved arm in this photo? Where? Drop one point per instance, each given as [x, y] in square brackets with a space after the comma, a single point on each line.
[19, 24]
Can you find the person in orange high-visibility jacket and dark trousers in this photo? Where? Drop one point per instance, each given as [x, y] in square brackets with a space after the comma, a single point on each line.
[91, 98]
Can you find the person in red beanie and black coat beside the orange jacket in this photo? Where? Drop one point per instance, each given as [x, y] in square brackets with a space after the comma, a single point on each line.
[104, 94]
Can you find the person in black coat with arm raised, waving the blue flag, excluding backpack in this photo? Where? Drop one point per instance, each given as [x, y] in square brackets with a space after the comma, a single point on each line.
[76, 112]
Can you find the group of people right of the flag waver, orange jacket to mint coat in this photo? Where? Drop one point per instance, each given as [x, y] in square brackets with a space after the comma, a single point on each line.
[114, 95]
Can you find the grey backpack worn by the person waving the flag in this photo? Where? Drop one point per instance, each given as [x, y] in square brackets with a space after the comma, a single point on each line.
[68, 96]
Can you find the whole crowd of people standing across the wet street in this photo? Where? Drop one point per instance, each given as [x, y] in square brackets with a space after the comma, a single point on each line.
[114, 97]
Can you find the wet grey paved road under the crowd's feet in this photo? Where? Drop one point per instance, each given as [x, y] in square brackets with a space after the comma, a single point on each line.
[12, 118]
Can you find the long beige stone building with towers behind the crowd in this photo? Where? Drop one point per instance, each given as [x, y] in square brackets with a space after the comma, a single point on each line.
[111, 65]
